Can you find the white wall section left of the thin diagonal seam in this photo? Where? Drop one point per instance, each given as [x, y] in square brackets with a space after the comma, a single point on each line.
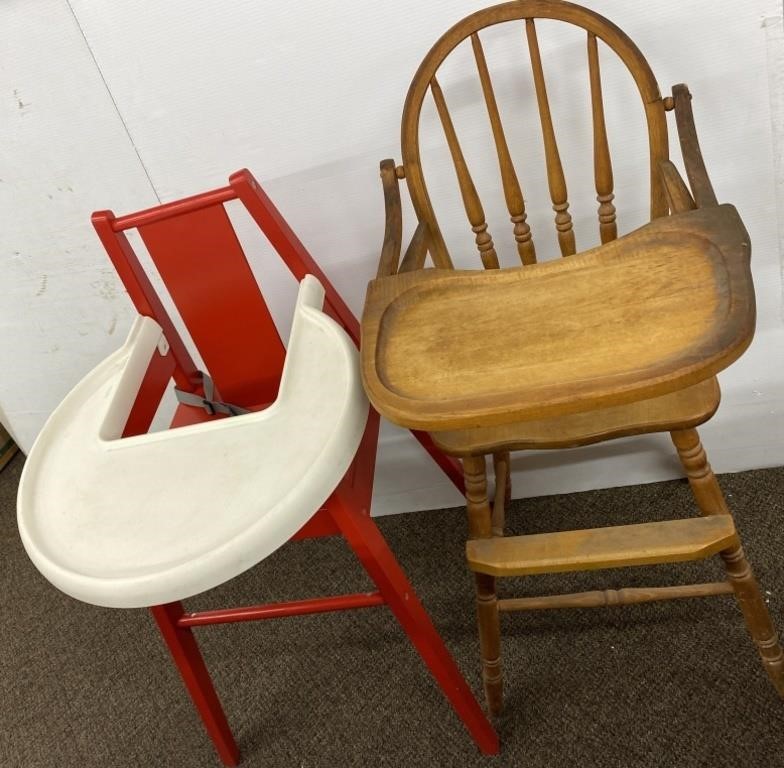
[64, 153]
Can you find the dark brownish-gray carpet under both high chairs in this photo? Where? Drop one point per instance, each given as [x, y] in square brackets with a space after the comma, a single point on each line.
[668, 684]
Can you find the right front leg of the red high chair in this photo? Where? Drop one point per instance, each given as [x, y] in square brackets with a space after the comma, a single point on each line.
[373, 552]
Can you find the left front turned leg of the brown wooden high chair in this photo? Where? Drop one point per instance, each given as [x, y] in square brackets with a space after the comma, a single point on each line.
[479, 522]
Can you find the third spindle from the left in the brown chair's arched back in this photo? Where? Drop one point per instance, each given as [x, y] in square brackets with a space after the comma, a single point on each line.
[555, 176]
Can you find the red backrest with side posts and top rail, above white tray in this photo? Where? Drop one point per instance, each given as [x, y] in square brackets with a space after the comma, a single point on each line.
[196, 251]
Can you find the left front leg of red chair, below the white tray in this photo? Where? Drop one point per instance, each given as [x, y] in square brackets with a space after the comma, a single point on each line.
[189, 661]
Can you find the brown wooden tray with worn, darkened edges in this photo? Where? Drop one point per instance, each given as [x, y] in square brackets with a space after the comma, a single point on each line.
[660, 309]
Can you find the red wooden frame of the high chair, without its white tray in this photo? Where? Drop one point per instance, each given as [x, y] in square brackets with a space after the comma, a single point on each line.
[175, 234]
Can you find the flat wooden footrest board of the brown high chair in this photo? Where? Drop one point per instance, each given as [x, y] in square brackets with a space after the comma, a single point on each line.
[614, 547]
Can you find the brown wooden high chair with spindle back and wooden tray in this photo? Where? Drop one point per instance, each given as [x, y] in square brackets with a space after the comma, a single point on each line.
[622, 339]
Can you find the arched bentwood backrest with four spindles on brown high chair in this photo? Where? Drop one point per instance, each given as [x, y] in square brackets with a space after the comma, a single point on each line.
[525, 13]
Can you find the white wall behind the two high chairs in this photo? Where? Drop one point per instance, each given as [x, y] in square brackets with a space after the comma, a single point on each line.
[122, 105]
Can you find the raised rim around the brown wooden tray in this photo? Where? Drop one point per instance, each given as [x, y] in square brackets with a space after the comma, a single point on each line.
[719, 226]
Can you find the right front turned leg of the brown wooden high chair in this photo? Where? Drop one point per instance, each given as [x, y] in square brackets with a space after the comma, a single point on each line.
[710, 501]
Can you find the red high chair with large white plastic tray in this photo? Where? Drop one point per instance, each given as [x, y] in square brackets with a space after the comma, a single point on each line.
[273, 444]
